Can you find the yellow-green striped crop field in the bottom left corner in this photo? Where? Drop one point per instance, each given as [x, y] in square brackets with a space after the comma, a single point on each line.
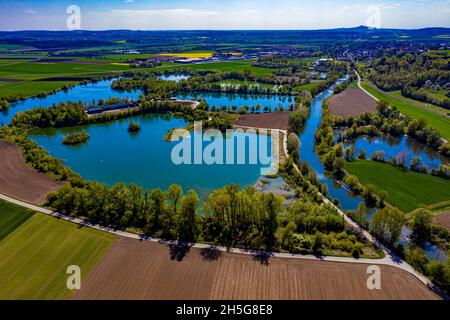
[35, 256]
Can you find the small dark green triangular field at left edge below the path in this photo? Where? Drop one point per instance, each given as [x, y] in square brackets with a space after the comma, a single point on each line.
[11, 217]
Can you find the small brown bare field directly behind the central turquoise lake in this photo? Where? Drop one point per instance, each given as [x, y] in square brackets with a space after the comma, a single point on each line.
[272, 120]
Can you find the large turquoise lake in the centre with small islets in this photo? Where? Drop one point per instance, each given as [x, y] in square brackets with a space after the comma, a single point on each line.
[113, 155]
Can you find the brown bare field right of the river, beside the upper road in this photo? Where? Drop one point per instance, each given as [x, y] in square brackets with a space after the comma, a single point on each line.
[352, 102]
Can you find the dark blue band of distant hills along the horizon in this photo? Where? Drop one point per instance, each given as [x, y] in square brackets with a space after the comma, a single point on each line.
[58, 40]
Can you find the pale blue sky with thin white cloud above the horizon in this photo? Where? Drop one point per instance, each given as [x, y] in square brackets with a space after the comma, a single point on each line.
[221, 15]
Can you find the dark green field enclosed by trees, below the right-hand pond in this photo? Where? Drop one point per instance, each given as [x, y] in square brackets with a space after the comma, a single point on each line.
[406, 190]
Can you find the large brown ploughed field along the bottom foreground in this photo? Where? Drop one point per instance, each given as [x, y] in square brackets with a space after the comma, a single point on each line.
[133, 269]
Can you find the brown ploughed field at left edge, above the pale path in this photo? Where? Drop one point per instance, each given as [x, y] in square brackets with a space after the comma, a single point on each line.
[20, 181]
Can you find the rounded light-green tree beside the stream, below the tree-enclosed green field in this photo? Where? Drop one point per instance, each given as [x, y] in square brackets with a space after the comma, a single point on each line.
[387, 224]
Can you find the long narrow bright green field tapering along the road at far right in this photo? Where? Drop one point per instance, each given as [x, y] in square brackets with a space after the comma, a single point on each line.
[437, 121]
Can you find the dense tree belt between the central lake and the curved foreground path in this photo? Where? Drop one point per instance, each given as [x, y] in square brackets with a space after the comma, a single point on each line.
[231, 216]
